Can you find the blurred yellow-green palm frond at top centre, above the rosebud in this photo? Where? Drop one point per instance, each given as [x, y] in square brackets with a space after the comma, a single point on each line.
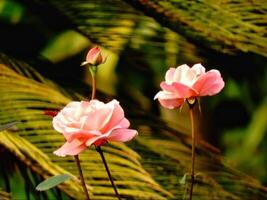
[117, 26]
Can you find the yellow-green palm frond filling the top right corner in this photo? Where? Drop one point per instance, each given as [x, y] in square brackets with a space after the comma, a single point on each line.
[222, 25]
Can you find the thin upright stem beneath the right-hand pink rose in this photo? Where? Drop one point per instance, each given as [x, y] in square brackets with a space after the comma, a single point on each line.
[193, 152]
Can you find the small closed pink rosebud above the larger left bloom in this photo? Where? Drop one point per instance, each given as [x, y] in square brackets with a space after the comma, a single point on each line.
[94, 57]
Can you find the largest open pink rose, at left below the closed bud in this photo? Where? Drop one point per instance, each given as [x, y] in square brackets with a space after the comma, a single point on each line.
[85, 123]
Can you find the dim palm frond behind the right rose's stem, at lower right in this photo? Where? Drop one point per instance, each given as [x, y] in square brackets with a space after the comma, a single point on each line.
[170, 151]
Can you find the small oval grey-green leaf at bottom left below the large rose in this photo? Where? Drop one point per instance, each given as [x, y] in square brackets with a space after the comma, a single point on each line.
[53, 181]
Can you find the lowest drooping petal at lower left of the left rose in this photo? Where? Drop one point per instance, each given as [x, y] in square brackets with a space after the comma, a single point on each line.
[71, 148]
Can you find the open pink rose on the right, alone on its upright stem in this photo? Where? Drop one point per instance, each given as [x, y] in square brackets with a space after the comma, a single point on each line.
[185, 83]
